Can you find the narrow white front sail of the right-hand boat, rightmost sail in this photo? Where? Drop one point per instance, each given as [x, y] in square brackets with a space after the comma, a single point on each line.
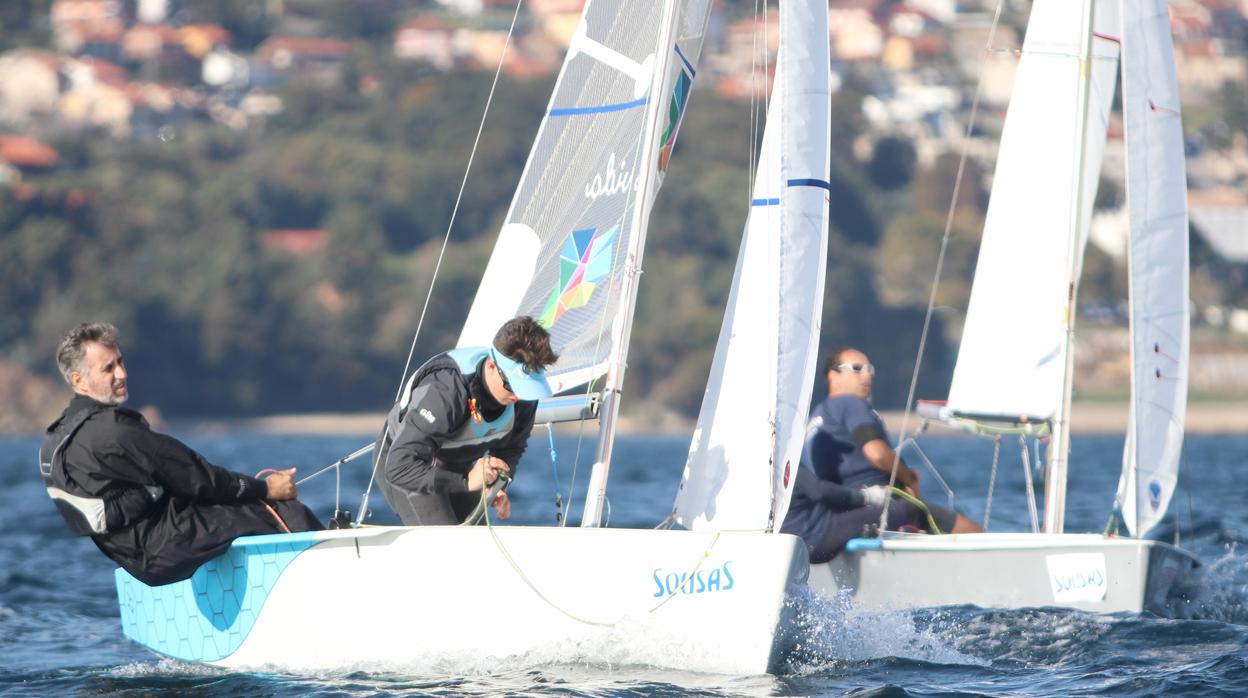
[1159, 263]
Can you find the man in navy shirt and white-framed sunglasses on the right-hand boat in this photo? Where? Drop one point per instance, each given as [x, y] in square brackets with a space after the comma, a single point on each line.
[848, 444]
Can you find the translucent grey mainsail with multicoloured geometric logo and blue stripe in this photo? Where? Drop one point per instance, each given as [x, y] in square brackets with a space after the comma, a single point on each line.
[565, 247]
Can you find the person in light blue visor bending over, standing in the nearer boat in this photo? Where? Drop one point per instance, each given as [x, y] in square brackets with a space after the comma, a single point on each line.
[462, 421]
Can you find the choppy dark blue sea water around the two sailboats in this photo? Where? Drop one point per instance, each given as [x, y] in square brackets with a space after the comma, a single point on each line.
[61, 632]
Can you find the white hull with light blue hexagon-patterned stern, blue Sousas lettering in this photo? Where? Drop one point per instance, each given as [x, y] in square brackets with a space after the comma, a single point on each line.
[407, 596]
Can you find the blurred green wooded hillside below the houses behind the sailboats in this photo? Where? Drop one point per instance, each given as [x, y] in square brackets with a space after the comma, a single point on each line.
[280, 264]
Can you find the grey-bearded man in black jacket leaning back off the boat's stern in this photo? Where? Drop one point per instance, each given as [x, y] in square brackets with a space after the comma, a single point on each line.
[148, 501]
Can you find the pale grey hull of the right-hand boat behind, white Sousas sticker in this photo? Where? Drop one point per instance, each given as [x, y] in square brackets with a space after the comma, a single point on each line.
[1084, 571]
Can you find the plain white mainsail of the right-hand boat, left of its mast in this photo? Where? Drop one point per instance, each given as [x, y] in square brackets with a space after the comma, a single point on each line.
[1013, 355]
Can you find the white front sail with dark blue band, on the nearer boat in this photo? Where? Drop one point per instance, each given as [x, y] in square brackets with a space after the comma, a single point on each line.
[749, 433]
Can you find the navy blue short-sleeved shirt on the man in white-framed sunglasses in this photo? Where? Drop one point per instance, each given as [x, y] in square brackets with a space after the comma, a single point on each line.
[833, 453]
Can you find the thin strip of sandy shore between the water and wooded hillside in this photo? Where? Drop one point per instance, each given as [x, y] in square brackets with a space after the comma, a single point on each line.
[1090, 418]
